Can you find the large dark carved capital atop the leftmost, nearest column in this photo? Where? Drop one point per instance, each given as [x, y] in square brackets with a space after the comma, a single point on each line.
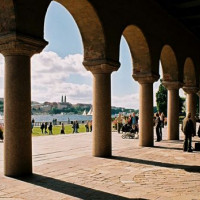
[14, 44]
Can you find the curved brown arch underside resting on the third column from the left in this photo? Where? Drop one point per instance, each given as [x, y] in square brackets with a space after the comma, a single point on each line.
[139, 49]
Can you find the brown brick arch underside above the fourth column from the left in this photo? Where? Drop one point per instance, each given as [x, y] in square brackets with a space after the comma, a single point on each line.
[169, 64]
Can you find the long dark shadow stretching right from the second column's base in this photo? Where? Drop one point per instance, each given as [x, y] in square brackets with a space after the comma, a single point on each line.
[188, 168]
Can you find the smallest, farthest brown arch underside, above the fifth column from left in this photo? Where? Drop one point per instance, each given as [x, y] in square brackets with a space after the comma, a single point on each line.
[189, 73]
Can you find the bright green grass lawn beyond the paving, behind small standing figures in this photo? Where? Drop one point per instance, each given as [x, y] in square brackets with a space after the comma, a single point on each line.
[56, 130]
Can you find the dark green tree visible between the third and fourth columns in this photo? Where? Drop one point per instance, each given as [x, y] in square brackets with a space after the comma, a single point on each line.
[161, 99]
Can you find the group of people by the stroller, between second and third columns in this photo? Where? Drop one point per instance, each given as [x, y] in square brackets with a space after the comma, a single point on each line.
[131, 121]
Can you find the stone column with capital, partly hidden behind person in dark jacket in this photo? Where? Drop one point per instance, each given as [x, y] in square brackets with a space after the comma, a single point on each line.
[191, 103]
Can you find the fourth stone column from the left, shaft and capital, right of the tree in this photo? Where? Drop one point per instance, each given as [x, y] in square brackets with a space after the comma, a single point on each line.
[173, 109]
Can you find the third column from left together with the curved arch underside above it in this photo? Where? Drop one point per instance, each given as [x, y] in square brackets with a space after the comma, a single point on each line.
[144, 74]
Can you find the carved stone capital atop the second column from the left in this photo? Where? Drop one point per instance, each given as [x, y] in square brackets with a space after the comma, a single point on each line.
[101, 66]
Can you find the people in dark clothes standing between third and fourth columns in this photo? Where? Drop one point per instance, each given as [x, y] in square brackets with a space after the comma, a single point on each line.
[159, 122]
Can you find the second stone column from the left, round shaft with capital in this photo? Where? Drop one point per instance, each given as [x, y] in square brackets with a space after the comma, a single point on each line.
[101, 124]
